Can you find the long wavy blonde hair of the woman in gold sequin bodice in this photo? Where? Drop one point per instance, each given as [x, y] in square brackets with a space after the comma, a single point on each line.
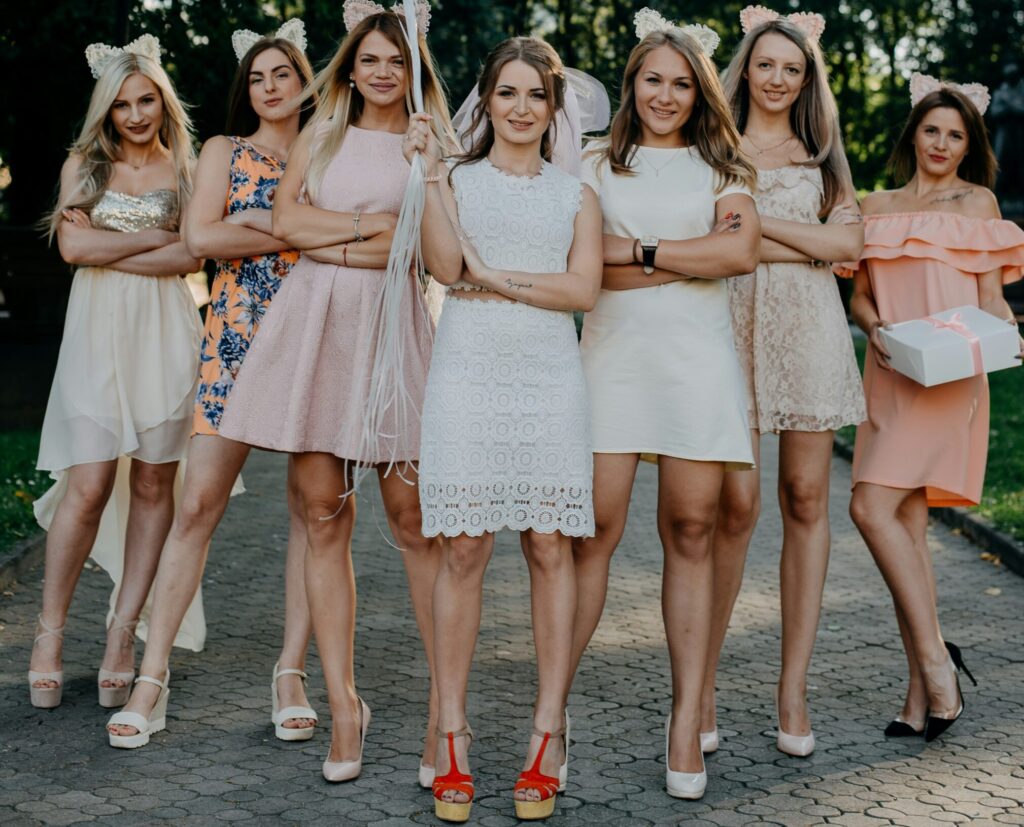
[98, 144]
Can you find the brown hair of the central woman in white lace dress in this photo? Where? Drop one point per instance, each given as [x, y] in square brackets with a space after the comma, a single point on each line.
[536, 54]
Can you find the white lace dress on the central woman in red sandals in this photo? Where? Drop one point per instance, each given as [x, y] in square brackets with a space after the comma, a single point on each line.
[505, 430]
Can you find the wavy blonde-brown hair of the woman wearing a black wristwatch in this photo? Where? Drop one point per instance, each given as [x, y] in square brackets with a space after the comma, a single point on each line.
[710, 127]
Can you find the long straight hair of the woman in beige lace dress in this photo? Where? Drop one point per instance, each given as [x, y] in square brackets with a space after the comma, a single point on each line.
[814, 118]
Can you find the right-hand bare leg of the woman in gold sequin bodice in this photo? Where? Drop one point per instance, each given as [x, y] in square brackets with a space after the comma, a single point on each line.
[149, 521]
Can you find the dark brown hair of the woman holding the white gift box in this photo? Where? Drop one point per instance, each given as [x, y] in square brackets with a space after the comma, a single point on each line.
[979, 164]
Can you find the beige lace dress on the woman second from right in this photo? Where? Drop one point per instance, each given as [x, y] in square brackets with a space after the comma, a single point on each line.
[790, 328]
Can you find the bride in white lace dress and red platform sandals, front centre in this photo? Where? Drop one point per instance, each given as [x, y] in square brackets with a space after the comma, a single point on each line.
[505, 421]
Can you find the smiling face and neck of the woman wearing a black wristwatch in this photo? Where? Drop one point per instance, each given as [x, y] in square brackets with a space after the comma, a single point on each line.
[666, 93]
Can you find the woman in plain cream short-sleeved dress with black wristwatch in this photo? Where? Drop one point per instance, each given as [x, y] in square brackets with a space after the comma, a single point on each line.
[658, 349]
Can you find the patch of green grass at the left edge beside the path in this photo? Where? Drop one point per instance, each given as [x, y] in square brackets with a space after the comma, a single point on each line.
[21, 486]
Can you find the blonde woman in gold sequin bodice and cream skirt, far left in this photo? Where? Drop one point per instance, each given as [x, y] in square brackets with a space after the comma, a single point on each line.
[120, 409]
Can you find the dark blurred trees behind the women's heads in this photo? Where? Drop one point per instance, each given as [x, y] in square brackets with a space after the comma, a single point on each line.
[873, 47]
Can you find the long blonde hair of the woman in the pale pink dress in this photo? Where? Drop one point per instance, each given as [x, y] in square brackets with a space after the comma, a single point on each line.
[342, 105]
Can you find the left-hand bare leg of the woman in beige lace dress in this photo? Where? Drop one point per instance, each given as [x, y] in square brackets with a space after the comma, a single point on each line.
[738, 517]
